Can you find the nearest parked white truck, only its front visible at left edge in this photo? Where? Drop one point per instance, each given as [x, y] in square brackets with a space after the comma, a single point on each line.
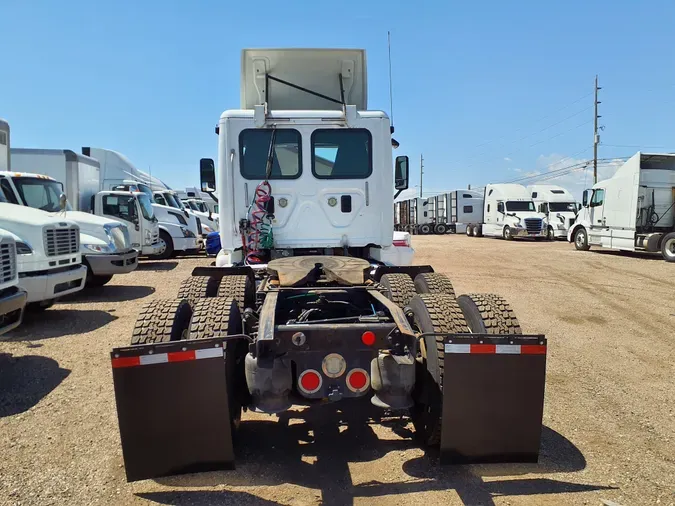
[12, 298]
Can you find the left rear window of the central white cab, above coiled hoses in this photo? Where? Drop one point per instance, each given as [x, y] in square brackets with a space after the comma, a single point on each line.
[254, 146]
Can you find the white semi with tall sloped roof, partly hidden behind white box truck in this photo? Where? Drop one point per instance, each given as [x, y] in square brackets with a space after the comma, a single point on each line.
[177, 233]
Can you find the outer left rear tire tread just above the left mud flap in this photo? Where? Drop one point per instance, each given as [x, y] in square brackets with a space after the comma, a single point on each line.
[161, 321]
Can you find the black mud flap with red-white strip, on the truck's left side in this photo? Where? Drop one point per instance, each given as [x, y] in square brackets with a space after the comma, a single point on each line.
[172, 408]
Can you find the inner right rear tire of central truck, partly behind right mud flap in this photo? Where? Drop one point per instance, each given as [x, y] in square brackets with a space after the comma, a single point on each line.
[432, 312]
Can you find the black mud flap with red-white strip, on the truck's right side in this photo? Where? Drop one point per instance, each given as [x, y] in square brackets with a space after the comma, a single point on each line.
[493, 398]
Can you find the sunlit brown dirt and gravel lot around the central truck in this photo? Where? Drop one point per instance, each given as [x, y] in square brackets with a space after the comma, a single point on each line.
[609, 415]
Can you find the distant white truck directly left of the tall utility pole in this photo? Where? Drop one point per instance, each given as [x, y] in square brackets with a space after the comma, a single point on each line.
[558, 205]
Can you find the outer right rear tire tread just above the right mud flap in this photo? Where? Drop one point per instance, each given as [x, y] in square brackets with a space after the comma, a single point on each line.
[488, 313]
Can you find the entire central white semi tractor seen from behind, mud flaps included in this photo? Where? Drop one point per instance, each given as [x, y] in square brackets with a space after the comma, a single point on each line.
[307, 304]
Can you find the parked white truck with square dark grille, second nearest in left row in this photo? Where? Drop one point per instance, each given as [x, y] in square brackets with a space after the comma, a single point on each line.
[48, 252]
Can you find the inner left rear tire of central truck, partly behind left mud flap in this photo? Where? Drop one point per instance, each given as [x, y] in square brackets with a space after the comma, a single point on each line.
[218, 316]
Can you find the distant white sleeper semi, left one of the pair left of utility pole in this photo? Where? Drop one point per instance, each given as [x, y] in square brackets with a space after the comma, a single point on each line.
[509, 212]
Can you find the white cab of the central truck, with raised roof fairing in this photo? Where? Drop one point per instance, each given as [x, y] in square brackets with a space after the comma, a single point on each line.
[306, 173]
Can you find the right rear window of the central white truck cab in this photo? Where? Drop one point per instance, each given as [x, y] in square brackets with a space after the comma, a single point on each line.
[342, 154]
